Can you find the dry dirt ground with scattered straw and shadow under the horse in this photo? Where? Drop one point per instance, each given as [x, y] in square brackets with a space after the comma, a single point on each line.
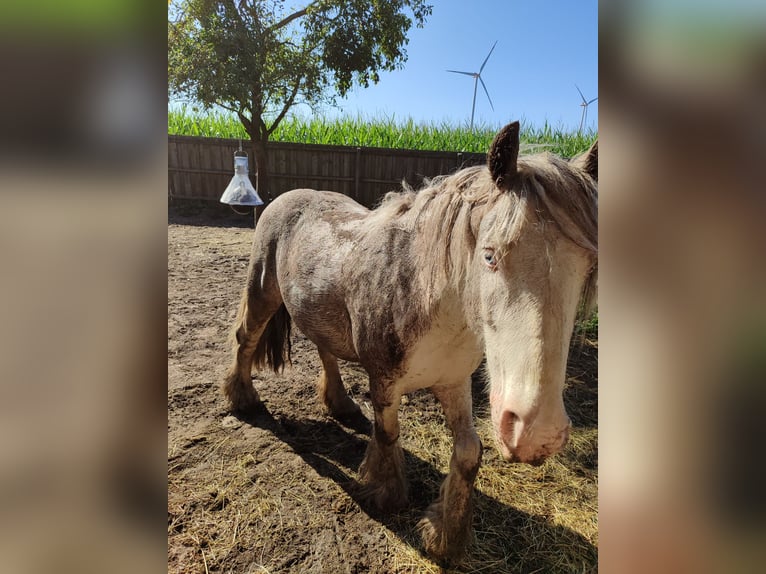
[275, 493]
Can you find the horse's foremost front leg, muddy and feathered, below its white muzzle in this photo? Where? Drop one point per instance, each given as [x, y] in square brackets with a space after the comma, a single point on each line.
[446, 526]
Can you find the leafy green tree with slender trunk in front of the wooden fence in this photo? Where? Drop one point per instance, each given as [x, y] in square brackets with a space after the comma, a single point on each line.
[259, 58]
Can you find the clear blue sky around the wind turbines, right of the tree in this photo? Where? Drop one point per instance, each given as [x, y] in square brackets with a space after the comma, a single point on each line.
[544, 48]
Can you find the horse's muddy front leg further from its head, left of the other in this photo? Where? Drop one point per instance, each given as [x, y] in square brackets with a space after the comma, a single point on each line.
[382, 470]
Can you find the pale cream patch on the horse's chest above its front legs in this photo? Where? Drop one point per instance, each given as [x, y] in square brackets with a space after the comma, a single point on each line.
[440, 357]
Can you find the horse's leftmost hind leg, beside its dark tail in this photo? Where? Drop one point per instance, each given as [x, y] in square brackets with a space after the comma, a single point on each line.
[257, 307]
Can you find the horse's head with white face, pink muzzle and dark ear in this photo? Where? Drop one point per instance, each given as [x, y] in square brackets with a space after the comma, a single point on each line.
[536, 247]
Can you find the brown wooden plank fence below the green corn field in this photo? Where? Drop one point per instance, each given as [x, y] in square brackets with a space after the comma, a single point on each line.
[201, 168]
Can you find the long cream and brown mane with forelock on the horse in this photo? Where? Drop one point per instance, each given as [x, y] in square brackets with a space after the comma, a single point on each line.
[447, 210]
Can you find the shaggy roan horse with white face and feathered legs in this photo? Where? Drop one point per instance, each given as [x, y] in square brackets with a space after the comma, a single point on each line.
[492, 262]
